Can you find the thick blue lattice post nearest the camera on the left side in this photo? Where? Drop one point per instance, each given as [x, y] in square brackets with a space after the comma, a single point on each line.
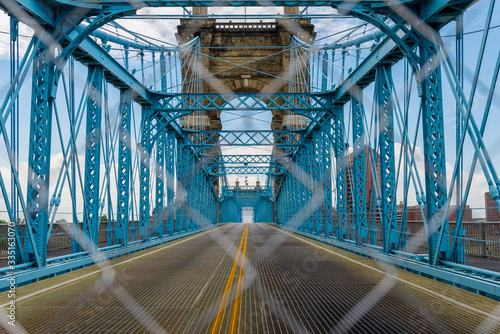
[42, 98]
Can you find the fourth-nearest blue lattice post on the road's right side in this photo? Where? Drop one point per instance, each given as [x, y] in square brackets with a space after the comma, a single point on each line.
[341, 181]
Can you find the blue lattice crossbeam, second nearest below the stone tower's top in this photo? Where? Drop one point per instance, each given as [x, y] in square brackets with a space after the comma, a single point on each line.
[244, 138]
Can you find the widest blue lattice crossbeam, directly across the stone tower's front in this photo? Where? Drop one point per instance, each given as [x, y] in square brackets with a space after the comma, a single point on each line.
[242, 101]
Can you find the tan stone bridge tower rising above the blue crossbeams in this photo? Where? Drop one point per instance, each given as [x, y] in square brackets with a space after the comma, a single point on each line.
[262, 70]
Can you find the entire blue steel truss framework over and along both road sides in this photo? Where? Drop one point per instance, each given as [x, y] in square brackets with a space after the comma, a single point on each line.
[182, 173]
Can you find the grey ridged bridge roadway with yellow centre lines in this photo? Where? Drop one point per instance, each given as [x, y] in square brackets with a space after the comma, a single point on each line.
[249, 278]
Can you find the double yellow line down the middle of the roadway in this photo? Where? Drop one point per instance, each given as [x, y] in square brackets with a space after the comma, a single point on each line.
[240, 258]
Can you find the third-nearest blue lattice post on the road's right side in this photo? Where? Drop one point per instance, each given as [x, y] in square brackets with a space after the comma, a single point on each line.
[359, 167]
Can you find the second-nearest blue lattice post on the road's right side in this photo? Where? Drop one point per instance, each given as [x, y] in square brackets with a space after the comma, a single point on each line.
[384, 105]
